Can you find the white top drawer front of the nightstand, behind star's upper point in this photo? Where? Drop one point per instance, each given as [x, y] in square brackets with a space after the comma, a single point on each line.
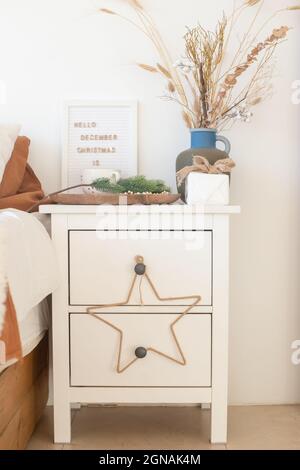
[101, 266]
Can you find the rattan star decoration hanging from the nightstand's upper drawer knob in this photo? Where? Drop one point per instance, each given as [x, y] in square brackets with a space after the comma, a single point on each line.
[141, 272]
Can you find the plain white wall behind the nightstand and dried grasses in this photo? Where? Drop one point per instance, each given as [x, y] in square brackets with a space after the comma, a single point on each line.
[56, 49]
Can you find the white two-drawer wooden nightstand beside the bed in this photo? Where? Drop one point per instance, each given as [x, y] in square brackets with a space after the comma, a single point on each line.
[186, 250]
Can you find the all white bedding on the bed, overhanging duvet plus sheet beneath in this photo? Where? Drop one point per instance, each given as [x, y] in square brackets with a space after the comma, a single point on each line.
[29, 267]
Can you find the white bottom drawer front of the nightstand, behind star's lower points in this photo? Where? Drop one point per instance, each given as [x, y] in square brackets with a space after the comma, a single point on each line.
[139, 350]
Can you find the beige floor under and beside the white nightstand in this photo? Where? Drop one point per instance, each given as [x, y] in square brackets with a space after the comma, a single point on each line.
[251, 427]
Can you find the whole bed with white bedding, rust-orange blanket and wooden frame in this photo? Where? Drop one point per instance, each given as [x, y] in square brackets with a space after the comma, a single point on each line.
[27, 278]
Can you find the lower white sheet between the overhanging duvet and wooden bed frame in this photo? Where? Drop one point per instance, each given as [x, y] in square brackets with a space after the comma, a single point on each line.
[32, 330]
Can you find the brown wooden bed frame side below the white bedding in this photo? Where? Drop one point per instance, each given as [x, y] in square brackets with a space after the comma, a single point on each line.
[23, 397]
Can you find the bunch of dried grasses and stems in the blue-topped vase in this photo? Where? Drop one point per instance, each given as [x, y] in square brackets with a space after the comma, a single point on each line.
[211, 88]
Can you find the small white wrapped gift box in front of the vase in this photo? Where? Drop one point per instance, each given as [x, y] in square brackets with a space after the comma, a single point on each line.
[203, 188]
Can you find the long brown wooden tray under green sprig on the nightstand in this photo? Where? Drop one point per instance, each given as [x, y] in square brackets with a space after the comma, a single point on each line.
[114, 199]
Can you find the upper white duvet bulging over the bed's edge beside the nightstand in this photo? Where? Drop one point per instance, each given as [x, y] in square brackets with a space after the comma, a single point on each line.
[28, 262]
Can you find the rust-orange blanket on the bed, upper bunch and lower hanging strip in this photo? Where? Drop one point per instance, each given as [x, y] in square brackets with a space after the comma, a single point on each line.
[19, 189]
